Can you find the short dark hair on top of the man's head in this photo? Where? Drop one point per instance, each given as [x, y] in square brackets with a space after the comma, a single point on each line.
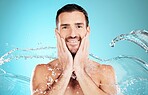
[71, 8]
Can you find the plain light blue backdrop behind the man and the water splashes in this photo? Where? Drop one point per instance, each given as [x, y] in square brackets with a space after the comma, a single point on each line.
[25, 23]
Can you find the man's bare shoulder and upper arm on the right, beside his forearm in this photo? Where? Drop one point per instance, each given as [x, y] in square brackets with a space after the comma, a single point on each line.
[106, 78]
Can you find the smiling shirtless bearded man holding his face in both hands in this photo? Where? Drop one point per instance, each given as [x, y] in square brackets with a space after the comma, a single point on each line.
[73, 72]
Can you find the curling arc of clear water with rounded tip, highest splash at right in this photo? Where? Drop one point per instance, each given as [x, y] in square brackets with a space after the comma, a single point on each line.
[139, 37]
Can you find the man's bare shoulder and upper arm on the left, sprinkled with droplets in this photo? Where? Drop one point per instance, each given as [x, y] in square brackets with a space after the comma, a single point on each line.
[41, 75]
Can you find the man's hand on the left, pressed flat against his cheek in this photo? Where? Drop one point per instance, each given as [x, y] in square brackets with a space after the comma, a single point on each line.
[64, 55]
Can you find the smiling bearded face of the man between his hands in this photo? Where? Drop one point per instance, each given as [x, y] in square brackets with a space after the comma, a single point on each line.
[72, 27]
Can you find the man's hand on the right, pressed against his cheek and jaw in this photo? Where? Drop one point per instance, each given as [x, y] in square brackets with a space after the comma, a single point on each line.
[81, 57]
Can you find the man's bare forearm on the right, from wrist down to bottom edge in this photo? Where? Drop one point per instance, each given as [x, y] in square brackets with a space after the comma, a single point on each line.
[87, 84]
